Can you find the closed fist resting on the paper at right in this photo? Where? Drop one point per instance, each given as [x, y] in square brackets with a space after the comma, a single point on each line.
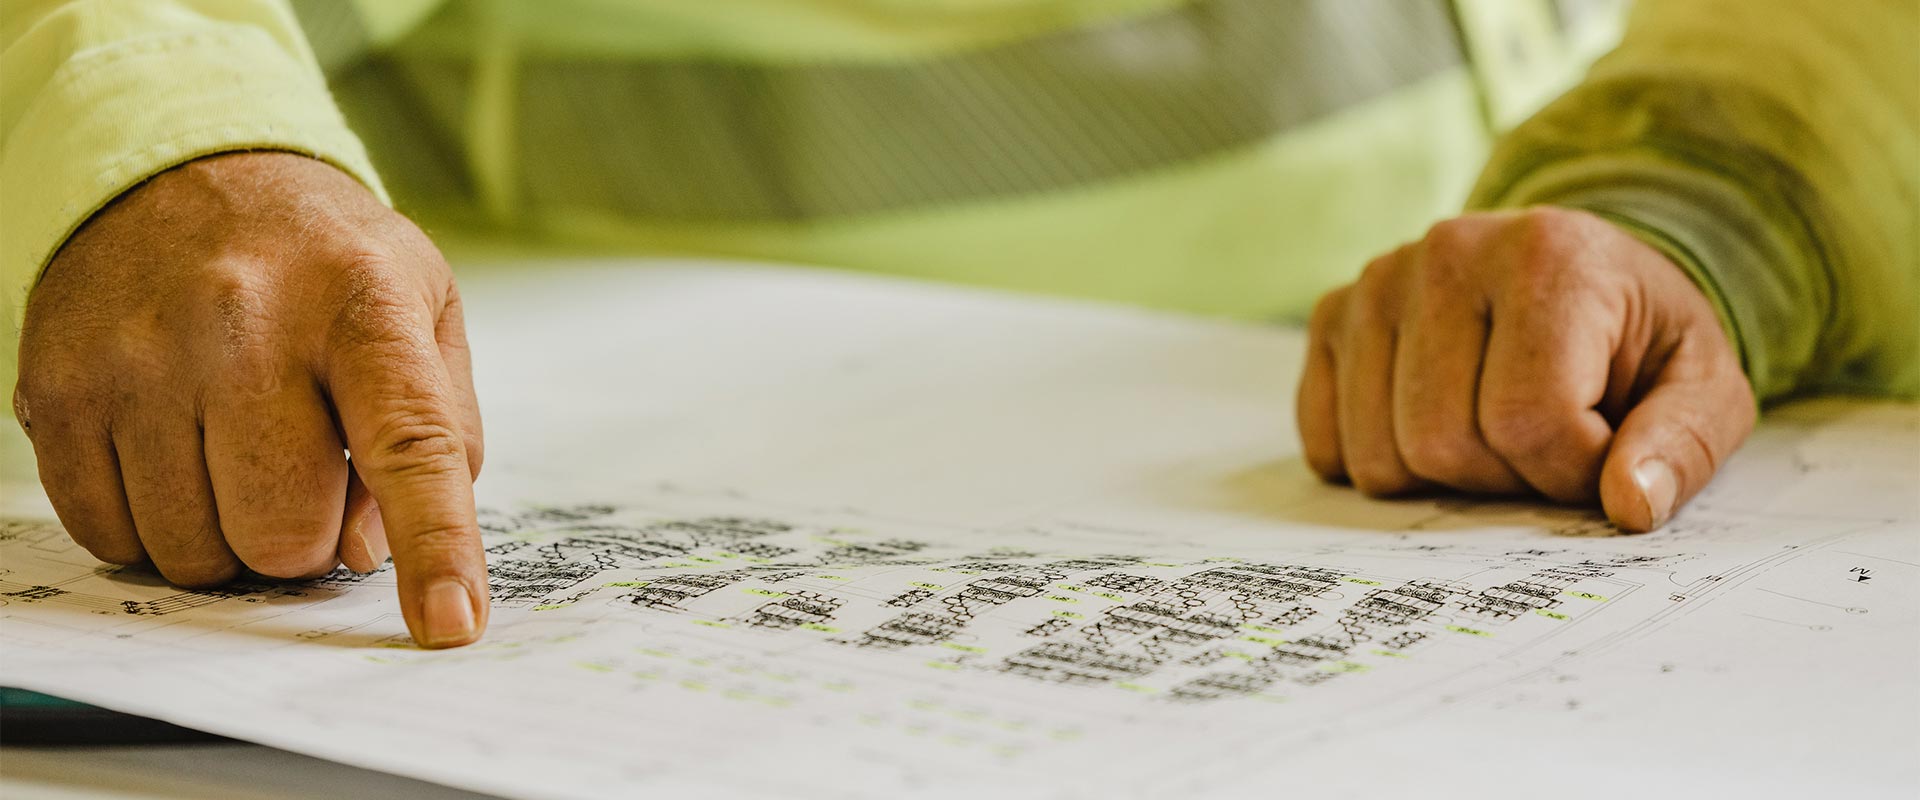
[1529, 352]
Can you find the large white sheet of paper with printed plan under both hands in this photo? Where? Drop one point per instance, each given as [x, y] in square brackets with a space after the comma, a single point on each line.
[823, 536]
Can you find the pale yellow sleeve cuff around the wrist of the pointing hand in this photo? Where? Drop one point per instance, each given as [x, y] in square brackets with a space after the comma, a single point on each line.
[118, 116]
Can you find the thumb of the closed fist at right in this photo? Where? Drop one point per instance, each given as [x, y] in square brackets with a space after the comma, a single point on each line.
[1679, 435]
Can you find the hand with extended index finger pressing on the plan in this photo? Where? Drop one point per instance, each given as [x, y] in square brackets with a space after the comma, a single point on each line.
[197, 356]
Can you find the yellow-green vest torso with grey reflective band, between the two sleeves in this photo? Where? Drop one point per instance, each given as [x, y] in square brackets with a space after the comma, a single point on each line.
[1216, 156]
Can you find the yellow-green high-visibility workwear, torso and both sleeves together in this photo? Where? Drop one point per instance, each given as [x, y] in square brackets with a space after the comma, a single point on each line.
[1214, 156]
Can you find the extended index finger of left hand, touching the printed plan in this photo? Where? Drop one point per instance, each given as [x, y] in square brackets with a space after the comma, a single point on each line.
[400, 412]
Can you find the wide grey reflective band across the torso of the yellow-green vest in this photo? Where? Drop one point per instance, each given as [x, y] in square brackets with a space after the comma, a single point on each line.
[740, 141]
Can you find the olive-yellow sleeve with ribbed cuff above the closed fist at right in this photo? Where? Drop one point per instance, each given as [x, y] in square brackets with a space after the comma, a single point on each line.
[1773, 151]
